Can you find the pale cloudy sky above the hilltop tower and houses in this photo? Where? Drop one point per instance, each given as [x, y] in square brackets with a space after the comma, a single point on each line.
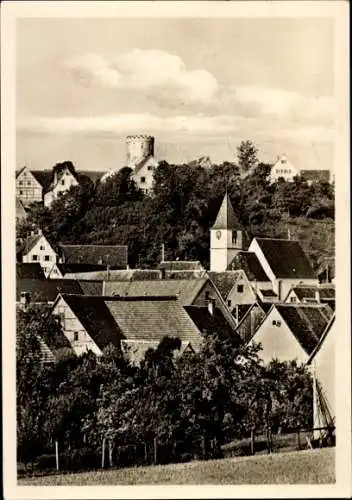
[200, 86]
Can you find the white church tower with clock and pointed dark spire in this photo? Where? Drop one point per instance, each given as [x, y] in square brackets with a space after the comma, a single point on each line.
[227, 237]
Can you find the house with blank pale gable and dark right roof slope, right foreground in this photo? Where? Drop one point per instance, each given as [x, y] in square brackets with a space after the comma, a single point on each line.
[291, 331]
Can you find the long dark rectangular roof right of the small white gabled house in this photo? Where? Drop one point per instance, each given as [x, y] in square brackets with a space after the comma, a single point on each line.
[108, 255]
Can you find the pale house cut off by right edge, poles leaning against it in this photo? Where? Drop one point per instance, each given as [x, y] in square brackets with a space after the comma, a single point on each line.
[321, 363]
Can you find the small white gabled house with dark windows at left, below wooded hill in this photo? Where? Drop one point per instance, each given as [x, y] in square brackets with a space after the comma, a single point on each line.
[37, 249]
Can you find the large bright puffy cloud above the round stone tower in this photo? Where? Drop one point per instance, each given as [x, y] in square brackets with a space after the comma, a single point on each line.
[149, 70]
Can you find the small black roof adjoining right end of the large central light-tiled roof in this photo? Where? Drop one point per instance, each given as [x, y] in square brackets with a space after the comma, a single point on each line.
[211, 323]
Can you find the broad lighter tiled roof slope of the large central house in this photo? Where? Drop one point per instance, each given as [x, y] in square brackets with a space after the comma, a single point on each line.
[153, 318]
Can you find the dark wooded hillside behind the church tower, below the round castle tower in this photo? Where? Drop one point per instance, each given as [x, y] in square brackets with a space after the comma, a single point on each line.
[183, 207]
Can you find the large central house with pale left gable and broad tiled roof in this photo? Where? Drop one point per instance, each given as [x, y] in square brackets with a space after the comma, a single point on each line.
[132, 324]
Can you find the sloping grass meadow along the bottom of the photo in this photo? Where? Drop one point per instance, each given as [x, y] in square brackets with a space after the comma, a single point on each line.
[299, 467]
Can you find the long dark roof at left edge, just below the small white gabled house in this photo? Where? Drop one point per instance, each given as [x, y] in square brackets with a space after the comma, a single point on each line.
[46, 290]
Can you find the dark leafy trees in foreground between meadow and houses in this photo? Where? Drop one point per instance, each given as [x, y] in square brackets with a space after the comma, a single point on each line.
[215, 395]
